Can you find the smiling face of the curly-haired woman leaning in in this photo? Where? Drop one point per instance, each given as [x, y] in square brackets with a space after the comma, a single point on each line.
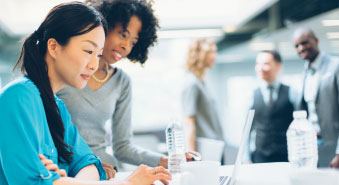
[119, 43]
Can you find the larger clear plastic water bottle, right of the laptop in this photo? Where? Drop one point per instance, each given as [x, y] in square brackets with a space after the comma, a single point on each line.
[302, 142]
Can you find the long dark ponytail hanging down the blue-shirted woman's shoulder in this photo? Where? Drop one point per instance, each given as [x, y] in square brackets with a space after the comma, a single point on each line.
[37, 71]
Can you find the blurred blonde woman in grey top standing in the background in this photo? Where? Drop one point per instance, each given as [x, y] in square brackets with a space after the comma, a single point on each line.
[198, 107]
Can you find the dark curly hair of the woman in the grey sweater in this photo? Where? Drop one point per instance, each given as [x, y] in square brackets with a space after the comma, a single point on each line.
[120, 12]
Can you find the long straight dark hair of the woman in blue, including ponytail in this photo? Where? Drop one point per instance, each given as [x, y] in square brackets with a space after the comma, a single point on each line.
[62, 22]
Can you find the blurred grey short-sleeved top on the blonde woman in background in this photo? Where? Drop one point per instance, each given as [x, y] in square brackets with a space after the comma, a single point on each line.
[197, 102]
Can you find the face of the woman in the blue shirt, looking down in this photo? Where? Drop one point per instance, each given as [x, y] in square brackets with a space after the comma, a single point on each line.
[74, 63]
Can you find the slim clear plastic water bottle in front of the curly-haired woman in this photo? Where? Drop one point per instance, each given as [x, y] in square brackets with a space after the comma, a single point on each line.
[175, 147]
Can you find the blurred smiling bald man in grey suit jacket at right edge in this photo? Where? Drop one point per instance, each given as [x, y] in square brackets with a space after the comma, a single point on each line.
[320, 95]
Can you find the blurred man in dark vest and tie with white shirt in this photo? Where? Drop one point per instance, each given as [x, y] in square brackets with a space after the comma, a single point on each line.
[273, 111]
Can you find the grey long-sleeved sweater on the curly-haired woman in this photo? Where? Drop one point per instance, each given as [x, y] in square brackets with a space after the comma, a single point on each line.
[90, 110]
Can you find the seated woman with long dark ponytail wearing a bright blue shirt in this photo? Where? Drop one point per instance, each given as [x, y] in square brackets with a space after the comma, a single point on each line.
[64, 50]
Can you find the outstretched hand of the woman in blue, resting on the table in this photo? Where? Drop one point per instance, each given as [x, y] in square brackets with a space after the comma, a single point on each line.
[145, 175]
